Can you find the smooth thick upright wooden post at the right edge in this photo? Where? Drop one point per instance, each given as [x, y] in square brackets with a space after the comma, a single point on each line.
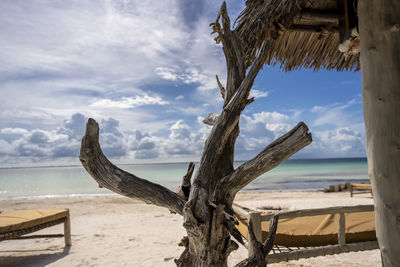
[379, 23]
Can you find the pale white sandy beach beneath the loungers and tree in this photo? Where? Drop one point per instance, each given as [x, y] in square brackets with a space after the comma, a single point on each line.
[117, 231]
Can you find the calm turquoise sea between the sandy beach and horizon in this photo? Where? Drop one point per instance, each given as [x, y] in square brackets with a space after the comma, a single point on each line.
[296, 174]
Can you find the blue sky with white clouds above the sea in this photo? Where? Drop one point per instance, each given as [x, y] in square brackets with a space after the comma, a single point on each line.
[145, 70]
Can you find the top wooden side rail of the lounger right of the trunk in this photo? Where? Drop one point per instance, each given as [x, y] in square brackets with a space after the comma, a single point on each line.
[323, 211]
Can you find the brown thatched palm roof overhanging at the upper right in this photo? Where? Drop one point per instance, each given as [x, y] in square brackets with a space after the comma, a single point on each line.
[303, 33]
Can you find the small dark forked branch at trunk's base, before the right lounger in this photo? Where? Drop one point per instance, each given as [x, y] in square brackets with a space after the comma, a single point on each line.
[261, 251]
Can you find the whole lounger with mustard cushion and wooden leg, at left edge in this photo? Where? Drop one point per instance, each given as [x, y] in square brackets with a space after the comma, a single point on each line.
[14, 224]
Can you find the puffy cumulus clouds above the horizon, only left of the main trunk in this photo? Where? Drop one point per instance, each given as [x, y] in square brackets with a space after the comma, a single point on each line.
[63, 143]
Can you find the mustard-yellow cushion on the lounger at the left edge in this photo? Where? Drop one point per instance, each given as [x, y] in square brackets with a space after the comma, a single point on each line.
[22, 219]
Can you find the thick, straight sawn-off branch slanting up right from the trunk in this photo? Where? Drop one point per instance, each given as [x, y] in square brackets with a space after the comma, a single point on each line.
[274, 154]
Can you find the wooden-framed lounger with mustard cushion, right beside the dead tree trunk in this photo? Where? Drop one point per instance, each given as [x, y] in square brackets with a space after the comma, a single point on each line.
[312, 232]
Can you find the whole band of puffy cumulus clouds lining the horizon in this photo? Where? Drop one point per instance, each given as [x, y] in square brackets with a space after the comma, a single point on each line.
[179, 141]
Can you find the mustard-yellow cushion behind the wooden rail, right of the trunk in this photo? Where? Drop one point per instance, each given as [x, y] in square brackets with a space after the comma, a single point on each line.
[319, 230]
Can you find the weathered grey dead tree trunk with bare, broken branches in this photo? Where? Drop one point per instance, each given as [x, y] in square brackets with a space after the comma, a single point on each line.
[206, 204]
